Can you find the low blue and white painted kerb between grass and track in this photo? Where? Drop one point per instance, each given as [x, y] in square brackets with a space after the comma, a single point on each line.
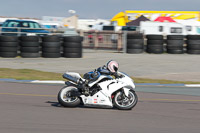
[63, 82]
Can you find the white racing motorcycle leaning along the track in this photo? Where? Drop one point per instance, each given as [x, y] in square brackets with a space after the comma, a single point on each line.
[97, 89]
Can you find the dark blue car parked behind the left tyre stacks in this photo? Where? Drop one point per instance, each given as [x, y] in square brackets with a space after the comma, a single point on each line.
[22, 27]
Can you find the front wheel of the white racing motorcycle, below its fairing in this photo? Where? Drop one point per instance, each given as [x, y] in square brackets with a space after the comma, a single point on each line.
[122, 102]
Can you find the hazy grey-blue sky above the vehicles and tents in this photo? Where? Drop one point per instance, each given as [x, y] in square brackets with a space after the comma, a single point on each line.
[89, 9]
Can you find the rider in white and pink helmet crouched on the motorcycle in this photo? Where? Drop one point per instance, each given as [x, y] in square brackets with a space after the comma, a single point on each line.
[111, 68]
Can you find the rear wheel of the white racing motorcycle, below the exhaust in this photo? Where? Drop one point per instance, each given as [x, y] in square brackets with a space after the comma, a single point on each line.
[65, 97]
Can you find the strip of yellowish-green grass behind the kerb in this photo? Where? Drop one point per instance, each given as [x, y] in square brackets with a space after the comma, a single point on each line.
[29, 74]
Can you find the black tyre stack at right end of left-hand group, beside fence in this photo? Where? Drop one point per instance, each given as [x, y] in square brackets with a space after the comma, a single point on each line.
[72, 46]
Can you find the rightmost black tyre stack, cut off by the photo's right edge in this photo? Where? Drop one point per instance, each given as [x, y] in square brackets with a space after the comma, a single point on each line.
[193, 44]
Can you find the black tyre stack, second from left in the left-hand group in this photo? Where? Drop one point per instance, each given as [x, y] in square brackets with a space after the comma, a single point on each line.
[30, 46]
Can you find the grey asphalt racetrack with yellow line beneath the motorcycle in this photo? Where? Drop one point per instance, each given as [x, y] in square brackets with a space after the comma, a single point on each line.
[33, 108]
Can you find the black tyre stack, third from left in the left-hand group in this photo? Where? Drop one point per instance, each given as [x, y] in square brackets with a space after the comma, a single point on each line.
[51, 47]
